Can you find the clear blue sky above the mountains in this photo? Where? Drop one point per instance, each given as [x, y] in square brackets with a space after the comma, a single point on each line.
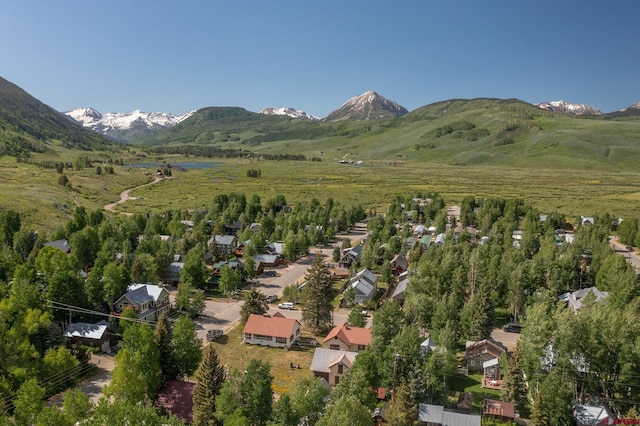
[174, 56]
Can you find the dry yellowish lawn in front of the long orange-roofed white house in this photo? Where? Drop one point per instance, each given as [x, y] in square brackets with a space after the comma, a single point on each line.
[234, 354]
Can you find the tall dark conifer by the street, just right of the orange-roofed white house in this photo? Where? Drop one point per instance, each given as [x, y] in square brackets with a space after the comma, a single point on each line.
[317, 296]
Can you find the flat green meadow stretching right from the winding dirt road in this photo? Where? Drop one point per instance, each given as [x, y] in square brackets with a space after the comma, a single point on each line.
[573, 192]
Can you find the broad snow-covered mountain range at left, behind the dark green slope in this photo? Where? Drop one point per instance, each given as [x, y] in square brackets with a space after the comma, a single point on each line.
[118, 125]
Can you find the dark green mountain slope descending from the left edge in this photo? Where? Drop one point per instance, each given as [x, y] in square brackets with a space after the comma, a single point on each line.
[29, 126]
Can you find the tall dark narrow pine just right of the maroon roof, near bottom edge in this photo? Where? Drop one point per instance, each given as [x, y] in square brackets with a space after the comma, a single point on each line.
[209, 380]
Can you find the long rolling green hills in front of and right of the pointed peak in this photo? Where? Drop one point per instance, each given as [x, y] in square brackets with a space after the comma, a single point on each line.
[496, 132]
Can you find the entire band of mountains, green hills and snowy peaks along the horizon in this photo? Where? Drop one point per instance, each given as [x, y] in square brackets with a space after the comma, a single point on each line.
[368, 127]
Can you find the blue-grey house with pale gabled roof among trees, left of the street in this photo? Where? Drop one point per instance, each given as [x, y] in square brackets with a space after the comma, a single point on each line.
[149, 301]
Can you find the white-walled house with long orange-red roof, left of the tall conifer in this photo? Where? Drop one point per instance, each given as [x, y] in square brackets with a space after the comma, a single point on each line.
[276, 331]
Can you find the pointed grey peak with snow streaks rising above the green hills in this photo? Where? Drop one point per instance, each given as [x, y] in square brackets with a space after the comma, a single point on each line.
[368, 106]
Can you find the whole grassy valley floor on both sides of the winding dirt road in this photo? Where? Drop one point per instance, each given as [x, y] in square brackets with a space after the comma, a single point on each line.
[43, 202]
